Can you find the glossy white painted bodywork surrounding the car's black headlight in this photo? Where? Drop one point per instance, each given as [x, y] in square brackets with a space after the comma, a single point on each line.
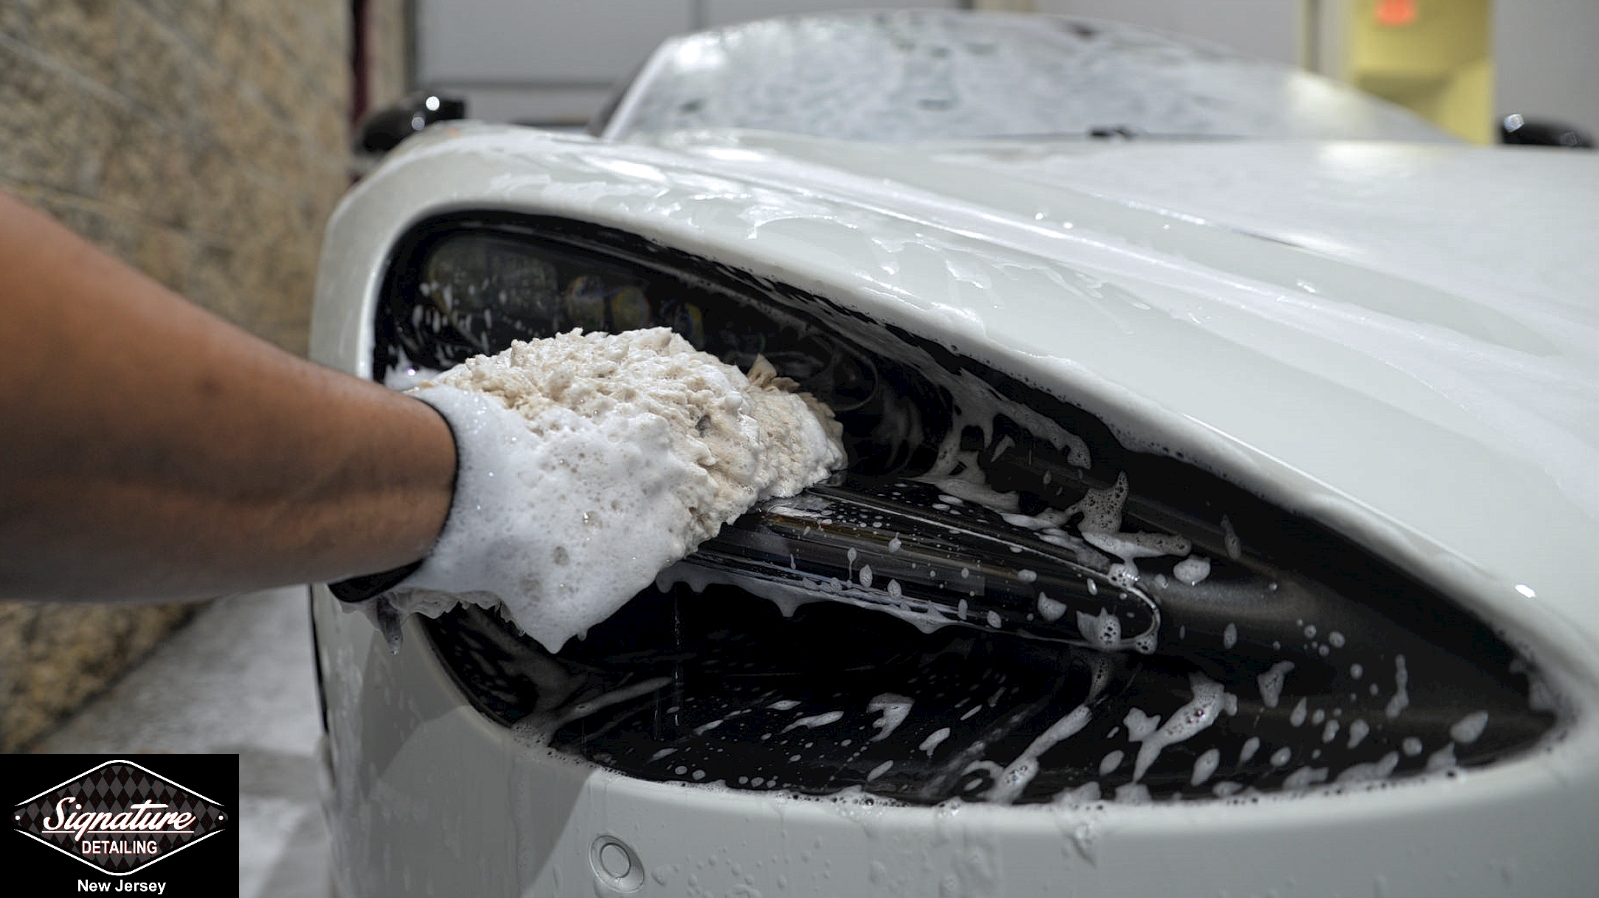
[1395, 340]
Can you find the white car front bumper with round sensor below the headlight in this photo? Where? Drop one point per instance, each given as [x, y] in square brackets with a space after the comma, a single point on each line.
[429, 797]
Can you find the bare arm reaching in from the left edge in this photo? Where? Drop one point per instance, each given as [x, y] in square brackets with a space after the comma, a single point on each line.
[153, 450]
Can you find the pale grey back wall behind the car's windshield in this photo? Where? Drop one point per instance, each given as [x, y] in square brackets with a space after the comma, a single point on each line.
[554, 62]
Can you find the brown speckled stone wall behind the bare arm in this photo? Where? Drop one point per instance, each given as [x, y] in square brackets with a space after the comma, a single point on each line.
[205, 143]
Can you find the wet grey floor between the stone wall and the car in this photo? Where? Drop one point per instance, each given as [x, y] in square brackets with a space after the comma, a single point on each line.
[239, 678]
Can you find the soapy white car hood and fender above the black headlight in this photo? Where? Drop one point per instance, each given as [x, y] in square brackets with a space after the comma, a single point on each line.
[1400, 341]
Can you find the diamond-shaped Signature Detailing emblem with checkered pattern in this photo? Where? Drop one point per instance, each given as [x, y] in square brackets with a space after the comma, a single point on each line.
[119, 817]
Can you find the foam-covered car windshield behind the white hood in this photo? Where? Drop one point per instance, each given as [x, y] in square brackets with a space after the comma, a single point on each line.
[935, 76]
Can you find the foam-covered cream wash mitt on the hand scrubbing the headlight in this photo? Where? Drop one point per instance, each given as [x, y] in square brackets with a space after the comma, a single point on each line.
[591, 463]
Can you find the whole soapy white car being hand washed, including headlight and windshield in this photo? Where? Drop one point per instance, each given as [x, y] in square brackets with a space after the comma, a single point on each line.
[1224, 456]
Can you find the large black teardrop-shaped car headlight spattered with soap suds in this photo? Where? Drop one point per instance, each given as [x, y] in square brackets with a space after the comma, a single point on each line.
[1235, 650]
